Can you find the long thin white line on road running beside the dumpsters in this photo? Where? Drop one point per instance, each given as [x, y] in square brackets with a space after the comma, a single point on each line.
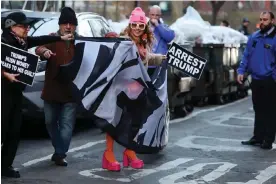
[195, 113]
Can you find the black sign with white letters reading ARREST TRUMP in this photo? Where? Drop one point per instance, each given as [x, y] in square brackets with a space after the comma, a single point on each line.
[185, 61]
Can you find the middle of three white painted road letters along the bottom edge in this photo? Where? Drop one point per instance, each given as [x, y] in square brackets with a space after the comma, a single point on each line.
[217, 173]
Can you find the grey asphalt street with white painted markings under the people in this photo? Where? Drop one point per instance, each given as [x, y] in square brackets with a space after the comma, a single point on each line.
[204, 148]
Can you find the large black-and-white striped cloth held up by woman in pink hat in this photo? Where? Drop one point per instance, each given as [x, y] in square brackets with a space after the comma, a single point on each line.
[112, 84]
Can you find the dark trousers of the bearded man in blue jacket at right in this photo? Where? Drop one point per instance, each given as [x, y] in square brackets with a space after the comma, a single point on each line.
[264, 104]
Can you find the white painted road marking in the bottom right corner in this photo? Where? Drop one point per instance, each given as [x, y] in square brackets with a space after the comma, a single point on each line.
[264, 176]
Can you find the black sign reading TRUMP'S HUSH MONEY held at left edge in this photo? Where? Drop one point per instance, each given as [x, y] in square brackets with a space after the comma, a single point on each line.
[20, 62]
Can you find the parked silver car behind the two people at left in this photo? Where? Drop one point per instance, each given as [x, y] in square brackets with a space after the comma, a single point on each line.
[44, 23]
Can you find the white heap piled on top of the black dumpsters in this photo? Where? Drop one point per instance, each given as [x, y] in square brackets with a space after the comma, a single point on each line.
[192, 28]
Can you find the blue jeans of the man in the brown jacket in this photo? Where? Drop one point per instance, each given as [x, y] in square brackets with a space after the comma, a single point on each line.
[60, 120]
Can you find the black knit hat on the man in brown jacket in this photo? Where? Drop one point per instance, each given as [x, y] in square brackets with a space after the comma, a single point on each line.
[68, 15]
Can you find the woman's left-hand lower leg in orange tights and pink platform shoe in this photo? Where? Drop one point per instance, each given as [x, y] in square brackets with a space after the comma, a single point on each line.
[108, 161]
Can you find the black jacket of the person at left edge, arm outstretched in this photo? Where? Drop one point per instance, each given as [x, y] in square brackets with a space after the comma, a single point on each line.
[10, 39]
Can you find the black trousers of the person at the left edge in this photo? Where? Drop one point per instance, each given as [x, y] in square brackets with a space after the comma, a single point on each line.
[11, 103]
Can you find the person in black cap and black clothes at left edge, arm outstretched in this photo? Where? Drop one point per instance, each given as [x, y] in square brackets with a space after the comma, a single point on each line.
[15, 34]
